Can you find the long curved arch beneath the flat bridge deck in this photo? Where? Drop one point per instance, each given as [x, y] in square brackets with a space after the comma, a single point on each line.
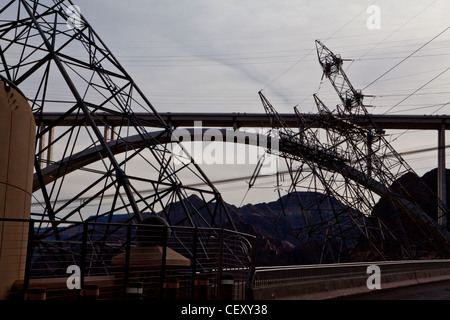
[273, 145]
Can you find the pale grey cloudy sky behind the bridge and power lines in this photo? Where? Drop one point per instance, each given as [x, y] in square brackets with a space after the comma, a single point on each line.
[215, 56]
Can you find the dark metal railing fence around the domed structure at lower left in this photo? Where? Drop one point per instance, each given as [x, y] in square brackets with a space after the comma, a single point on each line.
[74, 260]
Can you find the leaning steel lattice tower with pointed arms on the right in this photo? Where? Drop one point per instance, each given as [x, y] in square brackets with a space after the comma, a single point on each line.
[356, 166]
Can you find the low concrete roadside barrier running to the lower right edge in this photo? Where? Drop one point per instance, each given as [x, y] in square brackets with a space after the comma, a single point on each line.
[318, 282]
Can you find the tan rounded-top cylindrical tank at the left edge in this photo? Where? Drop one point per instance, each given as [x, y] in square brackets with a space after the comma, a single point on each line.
[17, 146]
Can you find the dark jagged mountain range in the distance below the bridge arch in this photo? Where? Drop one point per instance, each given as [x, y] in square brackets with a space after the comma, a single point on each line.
[288, 234]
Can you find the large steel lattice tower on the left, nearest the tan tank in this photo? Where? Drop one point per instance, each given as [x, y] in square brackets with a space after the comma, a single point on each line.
[53, 55]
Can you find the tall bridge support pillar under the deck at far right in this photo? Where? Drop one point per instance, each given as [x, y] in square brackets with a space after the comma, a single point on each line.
[442, 183]
